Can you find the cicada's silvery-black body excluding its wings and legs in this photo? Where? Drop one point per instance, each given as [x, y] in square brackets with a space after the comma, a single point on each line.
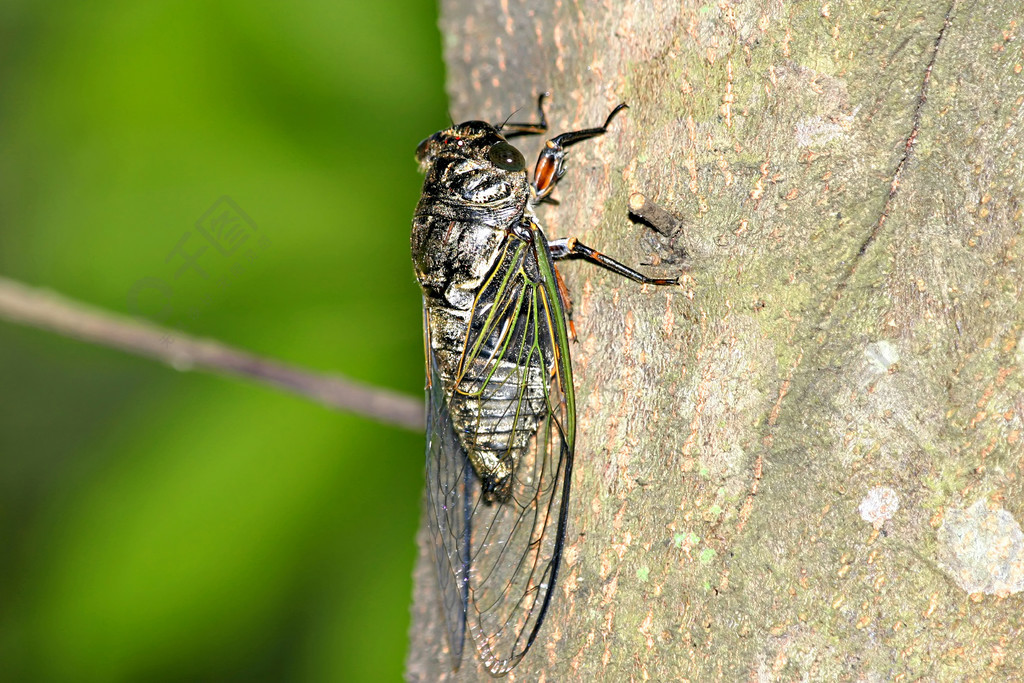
[472, 221]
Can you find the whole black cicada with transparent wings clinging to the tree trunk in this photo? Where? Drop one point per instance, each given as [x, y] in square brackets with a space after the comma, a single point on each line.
[501, 409]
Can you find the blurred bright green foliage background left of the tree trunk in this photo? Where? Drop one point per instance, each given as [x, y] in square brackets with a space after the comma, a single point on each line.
[158, 526]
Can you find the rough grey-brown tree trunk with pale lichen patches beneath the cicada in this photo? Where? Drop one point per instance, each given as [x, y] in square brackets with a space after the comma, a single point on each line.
[781, 462]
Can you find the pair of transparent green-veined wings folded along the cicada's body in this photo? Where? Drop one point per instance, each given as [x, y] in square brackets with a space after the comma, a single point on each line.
[498, 559]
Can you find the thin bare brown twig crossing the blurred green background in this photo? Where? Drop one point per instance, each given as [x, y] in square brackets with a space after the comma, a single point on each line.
[39, 309]
